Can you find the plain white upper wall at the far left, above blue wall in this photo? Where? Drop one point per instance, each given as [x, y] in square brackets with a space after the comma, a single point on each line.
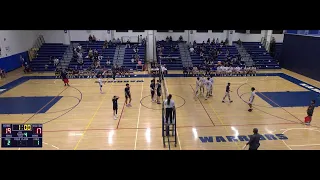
[16, 41]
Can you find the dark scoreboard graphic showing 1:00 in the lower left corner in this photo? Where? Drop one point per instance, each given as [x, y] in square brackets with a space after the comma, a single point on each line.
[21, 135]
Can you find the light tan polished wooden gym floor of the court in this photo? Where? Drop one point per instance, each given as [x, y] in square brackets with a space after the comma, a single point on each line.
[82, 118]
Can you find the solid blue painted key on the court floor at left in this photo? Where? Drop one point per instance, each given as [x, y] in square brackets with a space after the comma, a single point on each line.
[27, 105]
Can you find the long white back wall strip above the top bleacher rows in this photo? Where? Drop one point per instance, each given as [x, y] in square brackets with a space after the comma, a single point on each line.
[58, 36]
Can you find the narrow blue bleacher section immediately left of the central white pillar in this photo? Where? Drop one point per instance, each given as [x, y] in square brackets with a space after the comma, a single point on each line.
[128, 56]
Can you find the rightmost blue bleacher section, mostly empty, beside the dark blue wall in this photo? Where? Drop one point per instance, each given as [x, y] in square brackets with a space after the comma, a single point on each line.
[260, 56]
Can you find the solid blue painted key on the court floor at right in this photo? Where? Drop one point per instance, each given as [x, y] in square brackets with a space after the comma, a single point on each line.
[289, 99]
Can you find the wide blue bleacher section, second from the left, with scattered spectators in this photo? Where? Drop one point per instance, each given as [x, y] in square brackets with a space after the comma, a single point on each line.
[98, 45]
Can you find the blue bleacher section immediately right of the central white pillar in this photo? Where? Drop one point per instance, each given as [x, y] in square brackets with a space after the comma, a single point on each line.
[176, 64]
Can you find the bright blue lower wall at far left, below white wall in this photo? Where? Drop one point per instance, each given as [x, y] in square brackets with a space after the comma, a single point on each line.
[11, 63]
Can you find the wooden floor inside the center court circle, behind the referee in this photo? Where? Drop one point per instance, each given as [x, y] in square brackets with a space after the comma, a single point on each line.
[146, 102]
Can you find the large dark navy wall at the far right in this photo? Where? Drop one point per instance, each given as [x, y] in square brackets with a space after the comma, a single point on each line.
[301, 54]
